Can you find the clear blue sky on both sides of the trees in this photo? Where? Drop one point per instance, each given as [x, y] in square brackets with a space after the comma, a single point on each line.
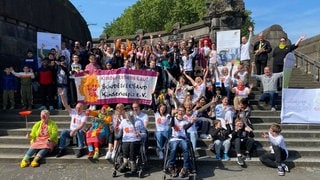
[296, 17]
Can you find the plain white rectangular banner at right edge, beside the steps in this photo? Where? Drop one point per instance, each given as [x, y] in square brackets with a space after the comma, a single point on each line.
[300, 106]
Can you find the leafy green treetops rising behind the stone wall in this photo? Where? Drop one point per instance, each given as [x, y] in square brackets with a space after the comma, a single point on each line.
[160, 15]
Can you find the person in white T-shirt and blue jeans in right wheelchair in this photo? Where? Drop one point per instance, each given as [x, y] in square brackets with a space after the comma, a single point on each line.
[179, 139]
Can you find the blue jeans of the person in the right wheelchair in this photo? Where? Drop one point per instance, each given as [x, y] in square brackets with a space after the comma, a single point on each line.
[173, 152]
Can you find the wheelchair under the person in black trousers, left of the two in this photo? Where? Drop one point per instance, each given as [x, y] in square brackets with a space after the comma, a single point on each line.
[141, 159]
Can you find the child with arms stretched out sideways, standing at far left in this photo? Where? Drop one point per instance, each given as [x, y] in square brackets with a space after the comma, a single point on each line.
[26, 86]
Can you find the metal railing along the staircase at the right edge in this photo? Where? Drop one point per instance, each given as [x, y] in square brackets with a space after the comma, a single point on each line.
[308, 65]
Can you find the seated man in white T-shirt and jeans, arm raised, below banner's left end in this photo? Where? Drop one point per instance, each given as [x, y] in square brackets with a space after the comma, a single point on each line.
[77, 125]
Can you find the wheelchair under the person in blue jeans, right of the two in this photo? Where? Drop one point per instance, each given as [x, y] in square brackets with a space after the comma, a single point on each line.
[192, 172]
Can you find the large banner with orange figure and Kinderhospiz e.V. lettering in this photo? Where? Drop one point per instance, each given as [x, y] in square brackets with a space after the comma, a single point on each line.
[116, 86]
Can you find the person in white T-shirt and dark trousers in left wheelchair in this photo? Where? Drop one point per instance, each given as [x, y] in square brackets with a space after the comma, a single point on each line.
[132, 133]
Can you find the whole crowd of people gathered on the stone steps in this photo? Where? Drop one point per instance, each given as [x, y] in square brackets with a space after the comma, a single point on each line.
[193, 94]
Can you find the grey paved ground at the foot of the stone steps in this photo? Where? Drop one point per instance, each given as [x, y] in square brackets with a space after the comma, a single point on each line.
[104, 171]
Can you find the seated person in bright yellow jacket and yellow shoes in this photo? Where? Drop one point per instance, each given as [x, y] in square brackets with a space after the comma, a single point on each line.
[44, 137]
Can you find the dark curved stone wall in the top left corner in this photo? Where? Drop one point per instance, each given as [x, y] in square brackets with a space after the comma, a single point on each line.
[20, 20]
